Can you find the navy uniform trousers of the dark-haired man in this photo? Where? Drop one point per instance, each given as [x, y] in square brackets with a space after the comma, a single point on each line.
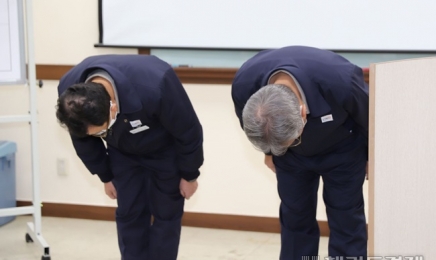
[150, 206]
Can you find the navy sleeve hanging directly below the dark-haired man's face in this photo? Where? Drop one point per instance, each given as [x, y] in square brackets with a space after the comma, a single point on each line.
[92, 152]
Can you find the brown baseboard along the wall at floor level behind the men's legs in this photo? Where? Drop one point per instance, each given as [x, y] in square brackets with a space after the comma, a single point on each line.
[190, 219]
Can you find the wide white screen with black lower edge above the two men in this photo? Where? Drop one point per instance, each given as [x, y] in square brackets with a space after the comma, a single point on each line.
[371, 25]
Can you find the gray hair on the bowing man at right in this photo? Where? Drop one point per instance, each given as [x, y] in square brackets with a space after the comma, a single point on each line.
[272, 118]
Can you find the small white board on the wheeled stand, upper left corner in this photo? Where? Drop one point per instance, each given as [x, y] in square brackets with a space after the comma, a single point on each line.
[12, 61]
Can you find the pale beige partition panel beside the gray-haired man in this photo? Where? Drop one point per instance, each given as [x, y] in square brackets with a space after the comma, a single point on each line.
[402, 164]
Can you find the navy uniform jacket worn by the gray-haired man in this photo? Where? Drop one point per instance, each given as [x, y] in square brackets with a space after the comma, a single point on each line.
[332, 85]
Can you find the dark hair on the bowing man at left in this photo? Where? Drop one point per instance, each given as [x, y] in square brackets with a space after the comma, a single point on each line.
[82, 105]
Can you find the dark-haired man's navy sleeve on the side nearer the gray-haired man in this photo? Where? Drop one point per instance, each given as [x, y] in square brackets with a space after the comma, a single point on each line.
[179, 118]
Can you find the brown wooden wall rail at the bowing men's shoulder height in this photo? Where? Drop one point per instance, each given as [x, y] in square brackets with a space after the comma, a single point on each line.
[186, 75]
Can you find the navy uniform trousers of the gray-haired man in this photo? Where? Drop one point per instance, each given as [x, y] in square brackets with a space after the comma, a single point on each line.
[343, 174]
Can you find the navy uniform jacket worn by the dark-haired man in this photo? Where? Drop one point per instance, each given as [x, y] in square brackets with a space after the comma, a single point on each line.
[149, 91]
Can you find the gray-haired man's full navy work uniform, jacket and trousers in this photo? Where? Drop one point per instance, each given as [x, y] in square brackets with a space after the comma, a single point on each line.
[334, 147]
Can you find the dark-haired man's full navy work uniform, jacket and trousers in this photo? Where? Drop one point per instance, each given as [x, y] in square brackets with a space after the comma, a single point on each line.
[155, 141]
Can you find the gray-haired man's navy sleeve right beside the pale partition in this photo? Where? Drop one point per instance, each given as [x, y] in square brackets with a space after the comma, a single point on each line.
[357, 102]
